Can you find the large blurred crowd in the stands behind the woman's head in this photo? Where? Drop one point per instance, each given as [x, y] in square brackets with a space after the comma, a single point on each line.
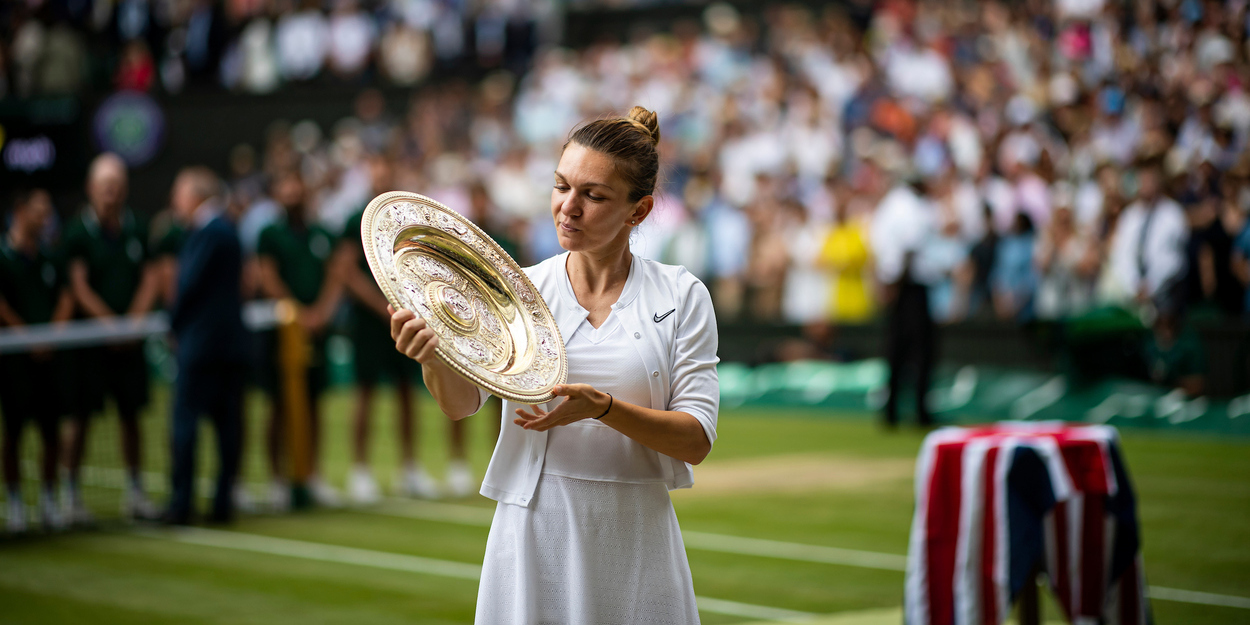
[1071, 156]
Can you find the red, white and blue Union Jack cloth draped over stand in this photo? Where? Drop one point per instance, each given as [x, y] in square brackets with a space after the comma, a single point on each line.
[996, 502]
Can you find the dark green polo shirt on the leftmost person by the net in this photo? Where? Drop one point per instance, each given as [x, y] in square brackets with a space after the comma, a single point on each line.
[31, 284]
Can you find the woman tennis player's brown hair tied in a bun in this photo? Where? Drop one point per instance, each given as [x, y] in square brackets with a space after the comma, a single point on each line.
[631, 142]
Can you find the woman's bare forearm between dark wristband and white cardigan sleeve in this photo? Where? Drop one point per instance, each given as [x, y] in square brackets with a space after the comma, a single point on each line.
[671, 433]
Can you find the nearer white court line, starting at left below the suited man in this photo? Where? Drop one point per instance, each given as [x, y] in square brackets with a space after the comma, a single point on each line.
[324, 553]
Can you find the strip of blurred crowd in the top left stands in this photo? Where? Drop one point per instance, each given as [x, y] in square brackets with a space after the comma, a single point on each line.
[71, 47]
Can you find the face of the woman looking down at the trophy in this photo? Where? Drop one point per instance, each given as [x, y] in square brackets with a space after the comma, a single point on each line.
[591, 203]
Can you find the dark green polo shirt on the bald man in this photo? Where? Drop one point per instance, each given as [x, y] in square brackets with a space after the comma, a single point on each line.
[114, 261]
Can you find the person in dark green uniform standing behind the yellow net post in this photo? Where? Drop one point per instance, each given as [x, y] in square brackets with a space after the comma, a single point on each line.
[294, 258]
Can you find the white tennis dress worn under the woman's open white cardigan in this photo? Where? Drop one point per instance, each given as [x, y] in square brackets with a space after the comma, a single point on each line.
[599, 541]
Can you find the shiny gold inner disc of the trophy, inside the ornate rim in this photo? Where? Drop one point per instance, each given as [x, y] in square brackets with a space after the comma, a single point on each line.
[472, 298]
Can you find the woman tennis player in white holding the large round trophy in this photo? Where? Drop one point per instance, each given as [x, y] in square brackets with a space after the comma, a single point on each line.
[584, 532]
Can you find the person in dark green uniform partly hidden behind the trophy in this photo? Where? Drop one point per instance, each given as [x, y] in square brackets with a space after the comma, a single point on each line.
[378, 361]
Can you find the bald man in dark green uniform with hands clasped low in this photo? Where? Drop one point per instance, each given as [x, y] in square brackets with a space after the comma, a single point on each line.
[111, 277]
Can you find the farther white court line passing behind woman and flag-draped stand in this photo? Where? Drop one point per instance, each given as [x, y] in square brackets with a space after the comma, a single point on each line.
[726, 544]
